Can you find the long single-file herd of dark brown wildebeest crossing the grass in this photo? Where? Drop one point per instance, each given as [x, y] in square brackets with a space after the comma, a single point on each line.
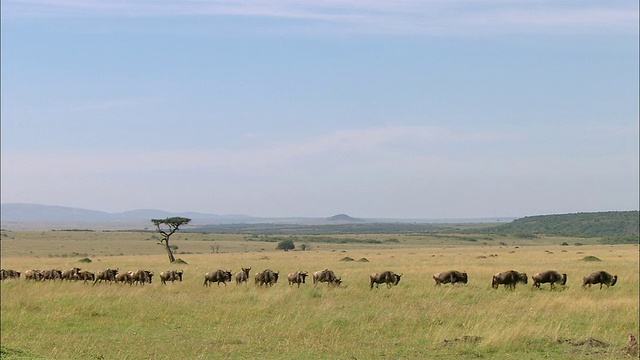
[269, 277]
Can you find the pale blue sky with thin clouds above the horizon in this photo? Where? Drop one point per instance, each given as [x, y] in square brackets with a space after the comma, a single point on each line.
[420, 109]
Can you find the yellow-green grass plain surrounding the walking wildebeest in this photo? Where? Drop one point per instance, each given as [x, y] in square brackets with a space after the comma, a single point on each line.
[413, 320]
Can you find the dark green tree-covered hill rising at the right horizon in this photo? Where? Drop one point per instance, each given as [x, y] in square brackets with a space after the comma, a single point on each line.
[597, 224]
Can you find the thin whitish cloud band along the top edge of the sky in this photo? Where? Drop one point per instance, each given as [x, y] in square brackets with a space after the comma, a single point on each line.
[436, 17]
